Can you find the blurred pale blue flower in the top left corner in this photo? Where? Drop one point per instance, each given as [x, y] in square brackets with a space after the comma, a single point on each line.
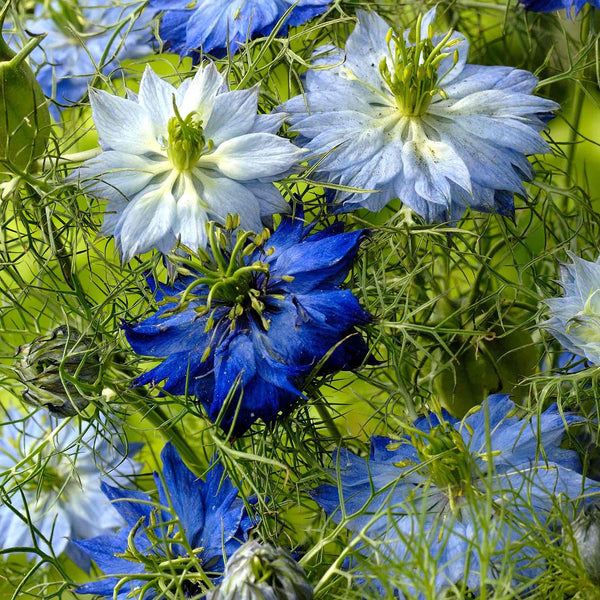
[82, 39]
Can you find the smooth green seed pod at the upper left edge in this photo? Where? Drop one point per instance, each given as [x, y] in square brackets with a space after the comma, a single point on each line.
[24, 115]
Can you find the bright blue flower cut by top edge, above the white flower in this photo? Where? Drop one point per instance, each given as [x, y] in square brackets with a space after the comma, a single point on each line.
[206, 25]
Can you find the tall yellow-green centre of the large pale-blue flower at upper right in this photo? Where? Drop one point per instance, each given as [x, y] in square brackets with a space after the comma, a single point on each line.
[413, 77]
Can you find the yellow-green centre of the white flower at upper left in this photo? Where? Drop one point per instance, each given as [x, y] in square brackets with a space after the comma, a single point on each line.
[186, 140]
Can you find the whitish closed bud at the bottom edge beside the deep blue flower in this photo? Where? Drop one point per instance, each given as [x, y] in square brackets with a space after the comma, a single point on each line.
[262, 572]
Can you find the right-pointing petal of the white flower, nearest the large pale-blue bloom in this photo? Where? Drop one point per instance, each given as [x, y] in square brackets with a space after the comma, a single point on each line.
[254, 156]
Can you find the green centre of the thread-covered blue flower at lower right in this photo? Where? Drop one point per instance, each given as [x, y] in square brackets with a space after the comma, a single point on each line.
[446, 458]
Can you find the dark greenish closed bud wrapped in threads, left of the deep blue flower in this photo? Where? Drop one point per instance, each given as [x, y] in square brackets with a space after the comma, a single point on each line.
[45, 364]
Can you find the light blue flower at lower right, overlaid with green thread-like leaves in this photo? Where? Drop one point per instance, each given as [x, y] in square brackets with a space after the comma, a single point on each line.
[429, 493]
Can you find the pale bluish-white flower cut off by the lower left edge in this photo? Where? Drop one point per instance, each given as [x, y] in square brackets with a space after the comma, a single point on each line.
[57, 486]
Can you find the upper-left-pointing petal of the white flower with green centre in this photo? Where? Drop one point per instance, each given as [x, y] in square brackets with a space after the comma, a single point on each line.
[122, 124]
